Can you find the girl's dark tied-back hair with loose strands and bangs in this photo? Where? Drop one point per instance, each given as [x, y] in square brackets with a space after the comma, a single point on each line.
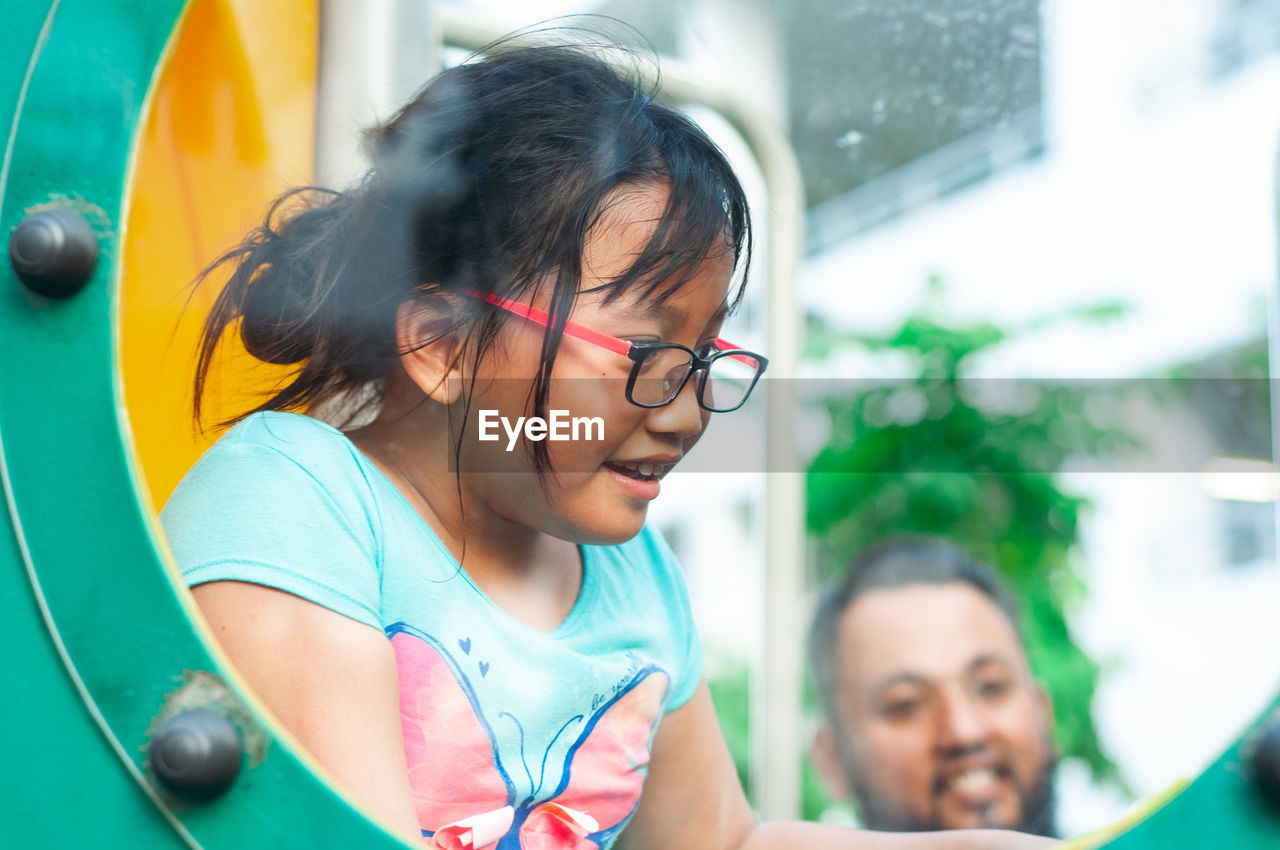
[490, 181]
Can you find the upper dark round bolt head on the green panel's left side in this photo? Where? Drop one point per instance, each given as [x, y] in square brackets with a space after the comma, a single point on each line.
[54, 253]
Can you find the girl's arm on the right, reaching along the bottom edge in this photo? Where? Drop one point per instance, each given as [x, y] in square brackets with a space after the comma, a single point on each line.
[694, 802]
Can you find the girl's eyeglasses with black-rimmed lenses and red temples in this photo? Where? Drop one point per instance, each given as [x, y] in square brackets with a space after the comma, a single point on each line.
[660, 371]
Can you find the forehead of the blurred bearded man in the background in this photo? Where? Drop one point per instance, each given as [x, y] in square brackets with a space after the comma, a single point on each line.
[922, 630]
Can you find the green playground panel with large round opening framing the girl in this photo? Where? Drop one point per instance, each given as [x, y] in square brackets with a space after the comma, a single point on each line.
[100, 641]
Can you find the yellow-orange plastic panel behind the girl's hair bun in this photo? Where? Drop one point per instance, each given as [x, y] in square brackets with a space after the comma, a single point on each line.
[232, 126]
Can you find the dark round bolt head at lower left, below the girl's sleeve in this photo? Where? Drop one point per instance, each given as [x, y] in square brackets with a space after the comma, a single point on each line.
[196, 755]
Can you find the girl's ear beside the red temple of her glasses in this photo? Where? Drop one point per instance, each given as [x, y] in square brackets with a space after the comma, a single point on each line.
[431, 351]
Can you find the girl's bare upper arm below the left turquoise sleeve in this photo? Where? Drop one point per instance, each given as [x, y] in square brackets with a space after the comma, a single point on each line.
[330, 680]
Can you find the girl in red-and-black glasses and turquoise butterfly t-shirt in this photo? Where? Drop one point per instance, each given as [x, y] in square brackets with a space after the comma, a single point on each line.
[470, 625]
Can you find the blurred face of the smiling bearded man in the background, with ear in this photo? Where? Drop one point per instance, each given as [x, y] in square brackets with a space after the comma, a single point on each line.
[944, 728]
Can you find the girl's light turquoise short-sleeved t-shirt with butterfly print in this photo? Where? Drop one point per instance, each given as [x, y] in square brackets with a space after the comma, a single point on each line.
[529, 733]
